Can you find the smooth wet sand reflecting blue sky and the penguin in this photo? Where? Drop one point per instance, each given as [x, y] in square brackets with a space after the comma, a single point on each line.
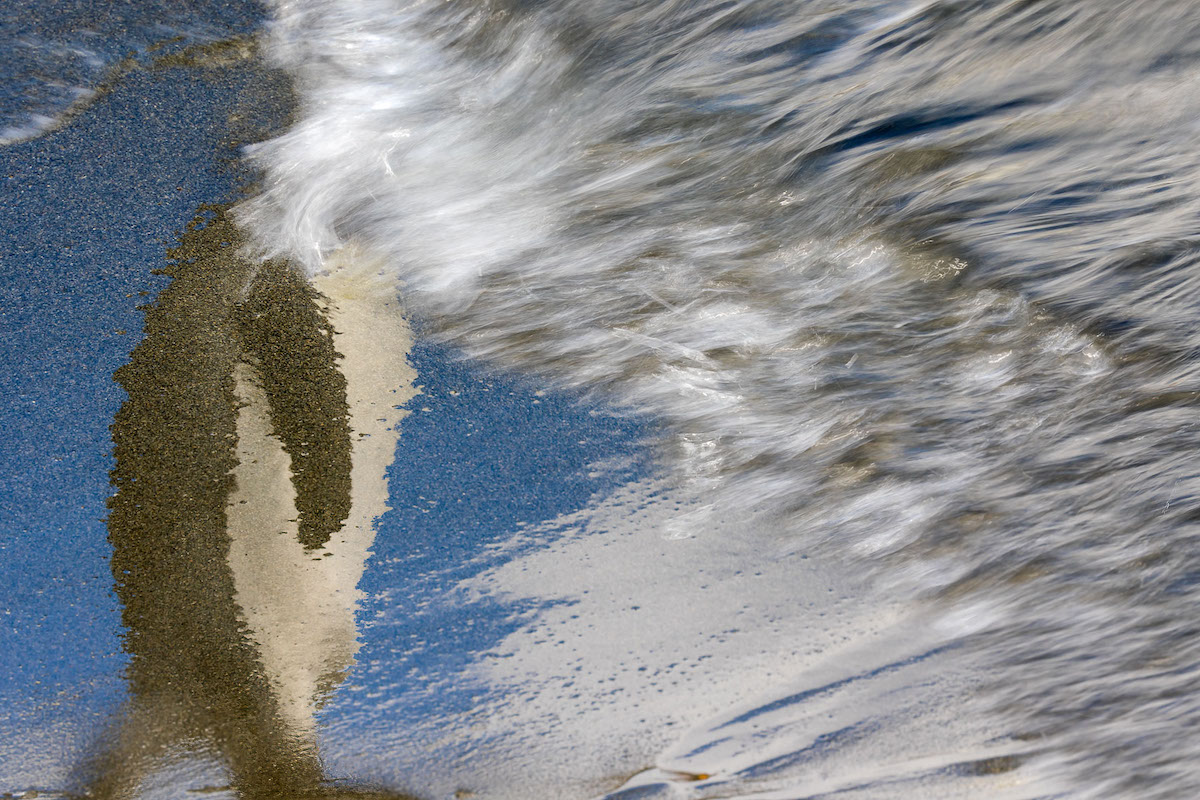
[538, 627]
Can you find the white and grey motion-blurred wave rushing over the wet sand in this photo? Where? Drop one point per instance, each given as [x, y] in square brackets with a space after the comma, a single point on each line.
[917, 281]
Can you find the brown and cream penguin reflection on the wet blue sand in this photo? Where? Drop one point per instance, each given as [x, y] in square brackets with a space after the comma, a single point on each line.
[250, 466]
